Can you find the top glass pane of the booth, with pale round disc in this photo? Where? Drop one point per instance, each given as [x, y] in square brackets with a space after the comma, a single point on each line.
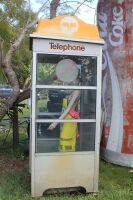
[66, 70]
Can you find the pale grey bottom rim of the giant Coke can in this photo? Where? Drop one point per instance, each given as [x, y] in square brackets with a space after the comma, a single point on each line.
[117, 158]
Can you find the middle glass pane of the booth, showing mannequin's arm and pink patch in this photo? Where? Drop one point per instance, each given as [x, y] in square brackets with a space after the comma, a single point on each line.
[54, 103]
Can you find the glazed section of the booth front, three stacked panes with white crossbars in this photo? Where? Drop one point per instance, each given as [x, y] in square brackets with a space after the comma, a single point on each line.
[53, 96]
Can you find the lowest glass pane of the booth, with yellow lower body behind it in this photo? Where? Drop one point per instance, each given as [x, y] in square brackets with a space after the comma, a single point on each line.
[66, 137]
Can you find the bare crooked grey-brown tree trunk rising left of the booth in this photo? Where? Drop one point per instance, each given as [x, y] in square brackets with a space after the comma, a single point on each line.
[9, 70]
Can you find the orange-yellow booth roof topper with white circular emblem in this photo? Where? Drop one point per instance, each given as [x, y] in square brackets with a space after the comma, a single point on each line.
[67, 28]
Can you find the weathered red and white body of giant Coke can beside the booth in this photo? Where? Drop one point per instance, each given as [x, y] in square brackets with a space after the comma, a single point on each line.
[116, 28]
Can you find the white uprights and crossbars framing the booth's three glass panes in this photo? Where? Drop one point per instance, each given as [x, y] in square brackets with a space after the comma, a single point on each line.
[98, 54]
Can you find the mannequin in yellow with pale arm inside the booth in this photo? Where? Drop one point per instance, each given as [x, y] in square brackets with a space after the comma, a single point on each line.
[68, 133]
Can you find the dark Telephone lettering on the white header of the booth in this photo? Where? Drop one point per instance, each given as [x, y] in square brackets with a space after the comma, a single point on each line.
[66, 47]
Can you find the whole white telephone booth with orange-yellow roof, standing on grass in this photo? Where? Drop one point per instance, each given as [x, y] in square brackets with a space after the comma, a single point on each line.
[66, 106]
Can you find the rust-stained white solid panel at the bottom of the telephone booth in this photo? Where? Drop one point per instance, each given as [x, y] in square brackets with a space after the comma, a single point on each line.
[64, 173]
